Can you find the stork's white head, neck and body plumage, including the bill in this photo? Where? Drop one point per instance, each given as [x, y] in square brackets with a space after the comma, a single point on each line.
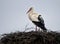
[33, 16]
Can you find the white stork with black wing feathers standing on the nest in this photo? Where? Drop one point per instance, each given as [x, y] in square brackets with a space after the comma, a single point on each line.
[36, 19]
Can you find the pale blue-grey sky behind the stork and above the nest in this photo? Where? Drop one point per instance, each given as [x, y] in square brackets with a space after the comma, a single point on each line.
[13, 15]
